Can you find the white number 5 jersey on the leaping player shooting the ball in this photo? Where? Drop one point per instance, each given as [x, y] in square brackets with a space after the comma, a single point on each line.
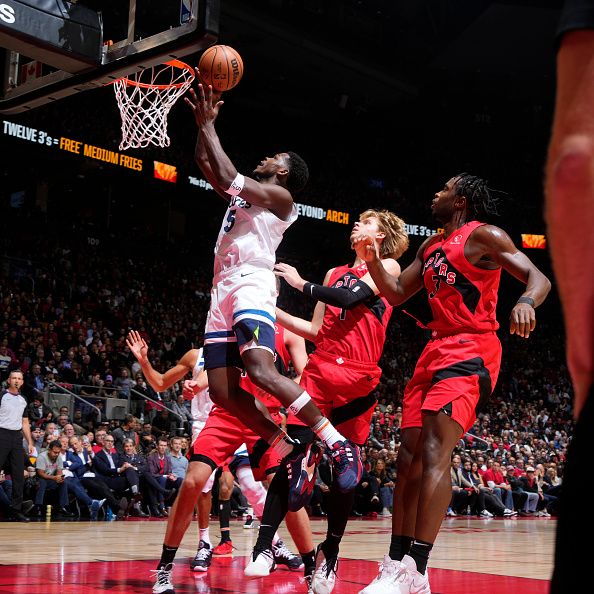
[249, 235]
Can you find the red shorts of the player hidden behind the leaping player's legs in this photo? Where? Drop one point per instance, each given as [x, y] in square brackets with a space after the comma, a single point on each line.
[223, 434]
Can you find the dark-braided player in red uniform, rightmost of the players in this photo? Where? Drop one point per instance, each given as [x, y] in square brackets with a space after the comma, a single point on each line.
[460, 269]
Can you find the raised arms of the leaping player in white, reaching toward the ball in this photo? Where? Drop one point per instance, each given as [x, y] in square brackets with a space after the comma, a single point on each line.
[224, 175]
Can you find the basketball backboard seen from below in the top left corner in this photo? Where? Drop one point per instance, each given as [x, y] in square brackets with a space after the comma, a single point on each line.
[133, 35]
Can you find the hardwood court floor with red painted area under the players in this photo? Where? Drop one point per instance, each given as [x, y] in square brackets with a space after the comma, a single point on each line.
[471, 556]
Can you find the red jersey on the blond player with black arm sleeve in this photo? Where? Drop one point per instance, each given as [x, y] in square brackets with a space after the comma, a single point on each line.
[359, 333]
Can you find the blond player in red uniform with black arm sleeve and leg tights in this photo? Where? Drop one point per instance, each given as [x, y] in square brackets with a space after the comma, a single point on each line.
[348, 329]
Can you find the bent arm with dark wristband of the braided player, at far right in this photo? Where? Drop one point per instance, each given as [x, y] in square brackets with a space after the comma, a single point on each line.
[497, 246]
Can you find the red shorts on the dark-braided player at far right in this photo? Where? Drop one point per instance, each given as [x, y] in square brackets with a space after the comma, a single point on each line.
[455, 374]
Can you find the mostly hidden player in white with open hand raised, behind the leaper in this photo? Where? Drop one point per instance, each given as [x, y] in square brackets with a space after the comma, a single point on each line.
[195, 389]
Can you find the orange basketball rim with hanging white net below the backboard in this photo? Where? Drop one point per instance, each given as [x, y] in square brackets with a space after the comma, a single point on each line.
[145, 99]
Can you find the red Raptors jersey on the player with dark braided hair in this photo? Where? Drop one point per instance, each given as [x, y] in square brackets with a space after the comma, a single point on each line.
[463, 297]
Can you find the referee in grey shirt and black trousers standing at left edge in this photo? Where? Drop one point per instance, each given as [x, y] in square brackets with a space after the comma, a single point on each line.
[14, 424]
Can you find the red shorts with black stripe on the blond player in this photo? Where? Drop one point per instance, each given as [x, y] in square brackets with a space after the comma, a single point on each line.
[341, 389]
